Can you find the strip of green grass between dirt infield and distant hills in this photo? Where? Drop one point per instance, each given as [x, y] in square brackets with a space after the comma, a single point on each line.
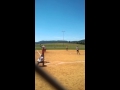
[60, 46]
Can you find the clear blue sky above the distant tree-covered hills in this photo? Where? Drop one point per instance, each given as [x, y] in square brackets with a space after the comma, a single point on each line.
[54, 16]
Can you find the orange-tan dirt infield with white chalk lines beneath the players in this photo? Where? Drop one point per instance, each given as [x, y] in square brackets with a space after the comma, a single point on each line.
[66, 67]
